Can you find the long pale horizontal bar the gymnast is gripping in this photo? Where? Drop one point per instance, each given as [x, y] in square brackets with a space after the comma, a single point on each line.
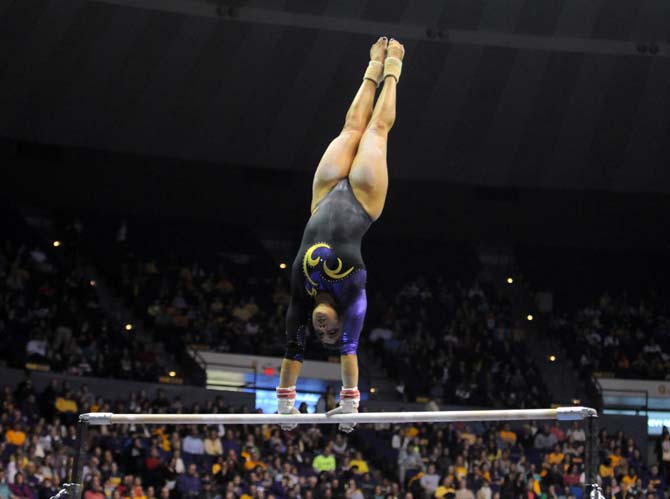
[558, 413]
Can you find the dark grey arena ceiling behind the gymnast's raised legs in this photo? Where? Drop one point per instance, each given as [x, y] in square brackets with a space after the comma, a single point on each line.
[567, 94]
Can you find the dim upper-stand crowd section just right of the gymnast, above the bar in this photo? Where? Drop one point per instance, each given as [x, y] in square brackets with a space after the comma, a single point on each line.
[470, 349]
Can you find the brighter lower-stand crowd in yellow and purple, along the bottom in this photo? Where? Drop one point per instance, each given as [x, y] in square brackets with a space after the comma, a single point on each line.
[384, 461]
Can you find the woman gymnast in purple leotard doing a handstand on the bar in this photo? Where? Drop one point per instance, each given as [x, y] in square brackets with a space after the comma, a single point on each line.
[348, 193]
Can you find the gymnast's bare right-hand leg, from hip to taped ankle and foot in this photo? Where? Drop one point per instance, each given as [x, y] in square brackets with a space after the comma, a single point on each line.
[369, 175]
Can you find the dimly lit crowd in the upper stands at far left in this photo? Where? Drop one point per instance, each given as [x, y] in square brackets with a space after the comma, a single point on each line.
[50, 315]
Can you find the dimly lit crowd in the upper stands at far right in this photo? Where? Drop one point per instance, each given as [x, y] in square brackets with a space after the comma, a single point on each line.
[627, 338]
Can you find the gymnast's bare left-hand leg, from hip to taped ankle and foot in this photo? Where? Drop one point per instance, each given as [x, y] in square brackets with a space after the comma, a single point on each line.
[336, 161]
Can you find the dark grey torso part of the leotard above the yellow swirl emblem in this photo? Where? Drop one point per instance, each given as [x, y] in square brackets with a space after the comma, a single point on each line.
[340, 221]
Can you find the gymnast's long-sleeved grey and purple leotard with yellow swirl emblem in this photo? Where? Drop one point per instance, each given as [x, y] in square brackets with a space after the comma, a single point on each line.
[330, 260]
